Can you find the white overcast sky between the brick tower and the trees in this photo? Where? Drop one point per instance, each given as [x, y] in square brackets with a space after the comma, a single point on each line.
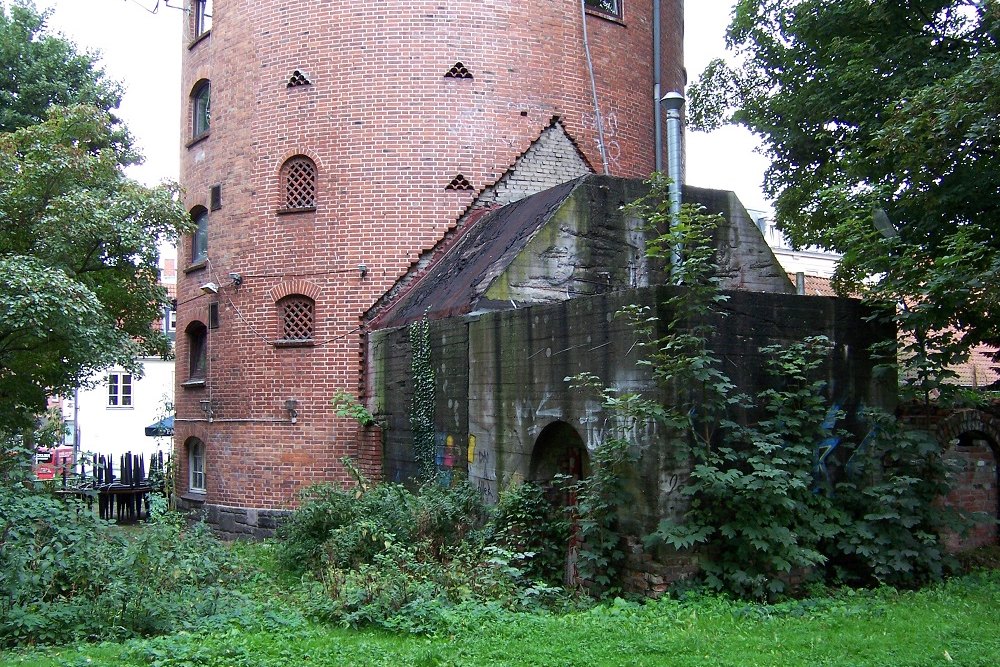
[143, 50]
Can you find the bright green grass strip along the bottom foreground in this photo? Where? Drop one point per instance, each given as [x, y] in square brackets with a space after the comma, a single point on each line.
[956, 623]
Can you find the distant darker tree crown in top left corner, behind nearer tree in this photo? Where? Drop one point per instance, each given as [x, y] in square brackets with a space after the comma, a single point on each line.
[40, 70]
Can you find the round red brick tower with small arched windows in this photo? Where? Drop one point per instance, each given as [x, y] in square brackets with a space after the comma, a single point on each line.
[326, 148]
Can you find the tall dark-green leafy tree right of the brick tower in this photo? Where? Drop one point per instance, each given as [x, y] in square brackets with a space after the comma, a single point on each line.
[882, 121]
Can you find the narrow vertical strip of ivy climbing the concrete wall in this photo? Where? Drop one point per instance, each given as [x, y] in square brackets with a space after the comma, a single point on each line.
[422, 403]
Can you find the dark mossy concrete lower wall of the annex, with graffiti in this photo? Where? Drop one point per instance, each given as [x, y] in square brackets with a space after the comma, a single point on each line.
[500, 379]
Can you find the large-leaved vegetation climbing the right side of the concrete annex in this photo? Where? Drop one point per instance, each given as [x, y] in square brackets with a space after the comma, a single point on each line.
[776, 494]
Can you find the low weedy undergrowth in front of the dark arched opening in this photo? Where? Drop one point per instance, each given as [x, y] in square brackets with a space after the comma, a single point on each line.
[384, 555]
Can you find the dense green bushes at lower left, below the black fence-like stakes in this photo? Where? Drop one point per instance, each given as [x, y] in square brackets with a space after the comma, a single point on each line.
[66, 575]
